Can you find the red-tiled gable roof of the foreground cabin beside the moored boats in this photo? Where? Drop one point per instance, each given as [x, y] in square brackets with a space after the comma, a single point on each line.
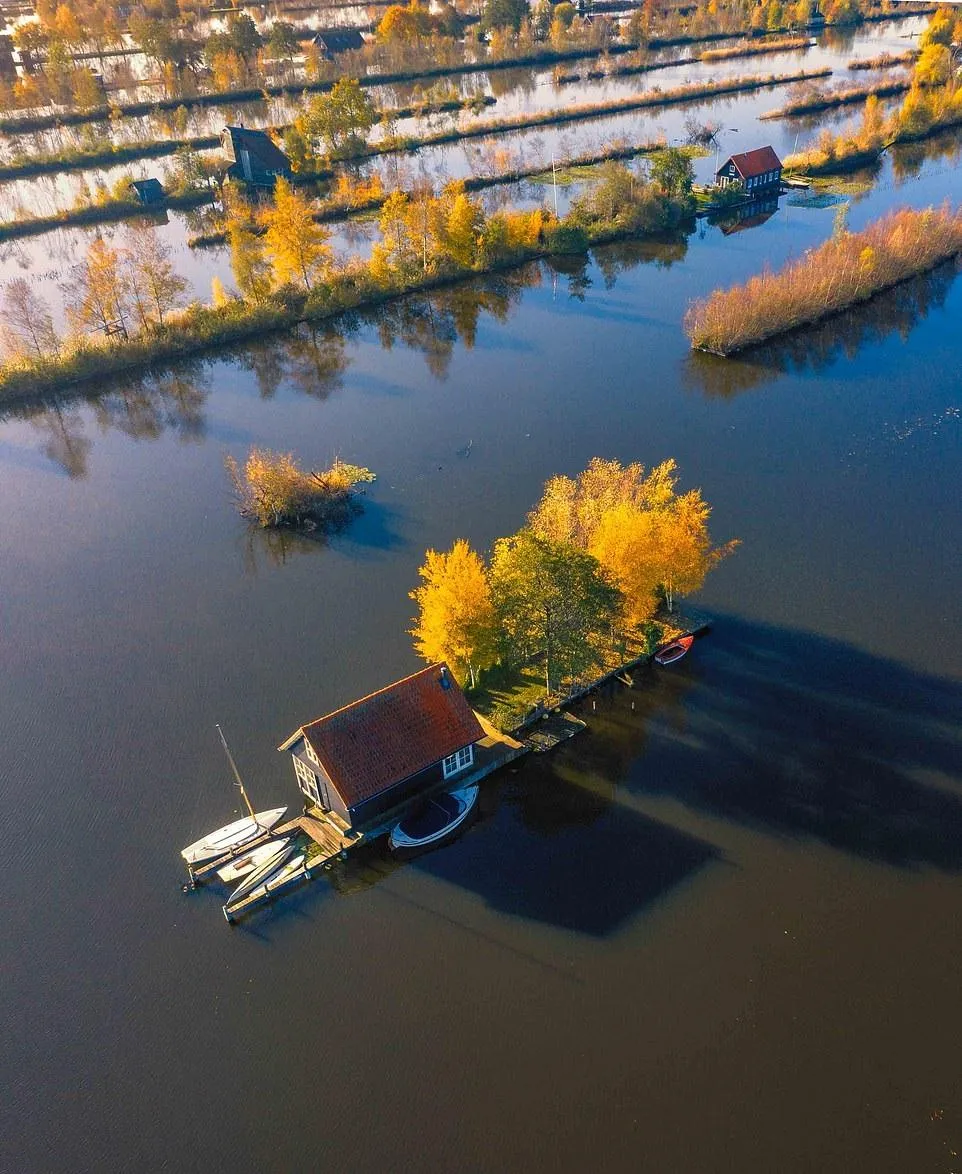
[393, 734]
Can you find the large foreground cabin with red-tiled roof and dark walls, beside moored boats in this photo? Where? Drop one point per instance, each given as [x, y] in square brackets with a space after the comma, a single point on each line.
[387, 748]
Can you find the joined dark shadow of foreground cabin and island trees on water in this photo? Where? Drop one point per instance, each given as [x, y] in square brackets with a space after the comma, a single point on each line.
[781, 732]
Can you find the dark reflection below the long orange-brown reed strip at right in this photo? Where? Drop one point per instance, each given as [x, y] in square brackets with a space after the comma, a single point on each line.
[898, 311]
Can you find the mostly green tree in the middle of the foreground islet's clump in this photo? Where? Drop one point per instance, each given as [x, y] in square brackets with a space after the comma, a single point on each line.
[554, 601]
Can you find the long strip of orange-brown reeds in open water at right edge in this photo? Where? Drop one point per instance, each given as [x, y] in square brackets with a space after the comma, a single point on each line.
[846, 271]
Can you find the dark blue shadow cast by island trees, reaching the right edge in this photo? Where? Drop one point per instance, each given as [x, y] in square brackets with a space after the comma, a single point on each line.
[804, 737]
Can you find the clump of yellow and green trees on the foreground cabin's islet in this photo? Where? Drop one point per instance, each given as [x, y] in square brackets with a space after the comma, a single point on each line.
[588, 586]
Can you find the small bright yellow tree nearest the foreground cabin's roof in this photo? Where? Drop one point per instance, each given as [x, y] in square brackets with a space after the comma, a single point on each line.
[456, 619]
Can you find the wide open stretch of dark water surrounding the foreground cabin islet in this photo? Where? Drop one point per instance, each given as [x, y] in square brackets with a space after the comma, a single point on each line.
[718, 933]
